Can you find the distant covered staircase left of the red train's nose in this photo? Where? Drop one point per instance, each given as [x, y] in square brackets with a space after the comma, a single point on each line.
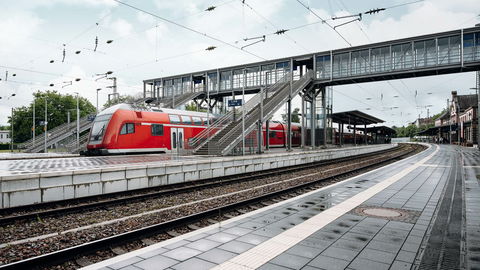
[56, 135]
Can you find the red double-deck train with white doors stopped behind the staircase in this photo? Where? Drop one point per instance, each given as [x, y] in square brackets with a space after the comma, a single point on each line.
[123, 129]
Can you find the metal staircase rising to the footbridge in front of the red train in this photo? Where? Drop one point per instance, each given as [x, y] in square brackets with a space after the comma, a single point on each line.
[224, 136]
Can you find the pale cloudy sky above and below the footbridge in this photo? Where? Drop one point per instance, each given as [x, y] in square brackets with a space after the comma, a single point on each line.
[35, 32]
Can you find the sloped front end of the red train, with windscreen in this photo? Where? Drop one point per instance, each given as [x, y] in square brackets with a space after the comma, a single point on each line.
[99, 135]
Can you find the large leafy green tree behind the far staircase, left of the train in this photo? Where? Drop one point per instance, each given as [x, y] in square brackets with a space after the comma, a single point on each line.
[57, 107]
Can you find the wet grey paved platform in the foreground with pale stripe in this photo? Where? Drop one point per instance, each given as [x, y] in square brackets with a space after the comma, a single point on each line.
[417, 213]
